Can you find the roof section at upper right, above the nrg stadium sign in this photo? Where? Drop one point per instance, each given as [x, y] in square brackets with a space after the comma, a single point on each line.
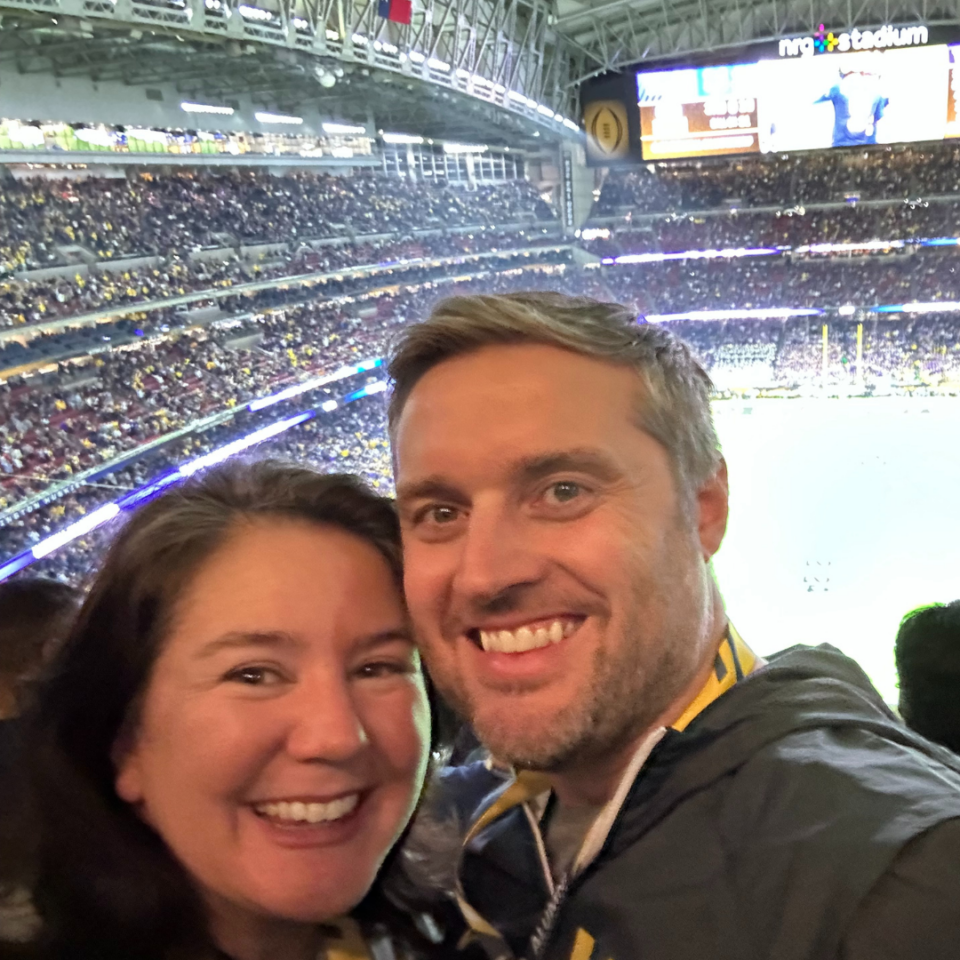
[612, 34]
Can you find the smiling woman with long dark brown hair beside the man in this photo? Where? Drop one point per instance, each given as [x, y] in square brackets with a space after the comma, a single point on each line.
[237, 731]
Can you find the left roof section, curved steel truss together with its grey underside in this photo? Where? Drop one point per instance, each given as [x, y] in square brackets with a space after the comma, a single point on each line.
[473, 70]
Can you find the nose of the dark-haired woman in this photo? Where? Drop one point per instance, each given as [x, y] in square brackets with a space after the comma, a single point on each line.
[323, 723]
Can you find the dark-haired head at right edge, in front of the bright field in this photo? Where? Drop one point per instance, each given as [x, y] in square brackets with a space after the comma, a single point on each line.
[927, 652]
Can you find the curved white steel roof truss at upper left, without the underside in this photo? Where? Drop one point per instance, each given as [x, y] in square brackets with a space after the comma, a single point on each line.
[501, 52]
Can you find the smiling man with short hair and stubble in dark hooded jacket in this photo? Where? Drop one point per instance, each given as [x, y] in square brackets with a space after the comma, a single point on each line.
[561, 494]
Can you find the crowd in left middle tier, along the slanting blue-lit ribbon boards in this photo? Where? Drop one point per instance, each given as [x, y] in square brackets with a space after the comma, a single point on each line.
[92, 414]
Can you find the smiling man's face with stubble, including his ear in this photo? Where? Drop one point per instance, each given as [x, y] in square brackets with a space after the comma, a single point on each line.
[560, 593]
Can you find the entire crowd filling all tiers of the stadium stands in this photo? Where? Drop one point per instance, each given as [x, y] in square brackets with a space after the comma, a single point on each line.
[158, 372]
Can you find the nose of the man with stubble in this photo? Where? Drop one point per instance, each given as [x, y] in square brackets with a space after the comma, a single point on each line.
[498, 554]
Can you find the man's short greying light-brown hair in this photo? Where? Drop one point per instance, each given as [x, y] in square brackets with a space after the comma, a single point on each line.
[675, 389]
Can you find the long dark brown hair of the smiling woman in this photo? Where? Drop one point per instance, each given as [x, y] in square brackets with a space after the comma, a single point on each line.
[105, 884]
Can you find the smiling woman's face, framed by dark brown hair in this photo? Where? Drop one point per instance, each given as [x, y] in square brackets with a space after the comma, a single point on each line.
[284, 732]
